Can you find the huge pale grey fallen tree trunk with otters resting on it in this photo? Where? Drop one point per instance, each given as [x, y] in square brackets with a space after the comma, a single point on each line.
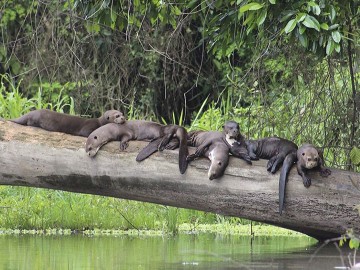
[37, 158]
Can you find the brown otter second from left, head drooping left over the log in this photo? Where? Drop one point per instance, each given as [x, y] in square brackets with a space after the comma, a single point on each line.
[142, 131]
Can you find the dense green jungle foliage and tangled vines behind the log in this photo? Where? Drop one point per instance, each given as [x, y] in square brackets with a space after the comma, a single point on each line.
[286, 68]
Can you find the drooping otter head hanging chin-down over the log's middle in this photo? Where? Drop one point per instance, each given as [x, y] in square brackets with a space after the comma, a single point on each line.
[219, 161]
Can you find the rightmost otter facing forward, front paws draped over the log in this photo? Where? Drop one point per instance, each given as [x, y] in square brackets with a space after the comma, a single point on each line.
[310, 158]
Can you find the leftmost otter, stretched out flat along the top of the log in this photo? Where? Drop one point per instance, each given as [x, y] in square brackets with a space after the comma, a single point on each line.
[70, 124]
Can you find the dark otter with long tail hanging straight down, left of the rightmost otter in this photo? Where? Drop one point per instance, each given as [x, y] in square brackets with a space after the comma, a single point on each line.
[278, 151]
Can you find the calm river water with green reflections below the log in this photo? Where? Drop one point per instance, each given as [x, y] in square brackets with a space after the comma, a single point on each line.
[185, 251]
